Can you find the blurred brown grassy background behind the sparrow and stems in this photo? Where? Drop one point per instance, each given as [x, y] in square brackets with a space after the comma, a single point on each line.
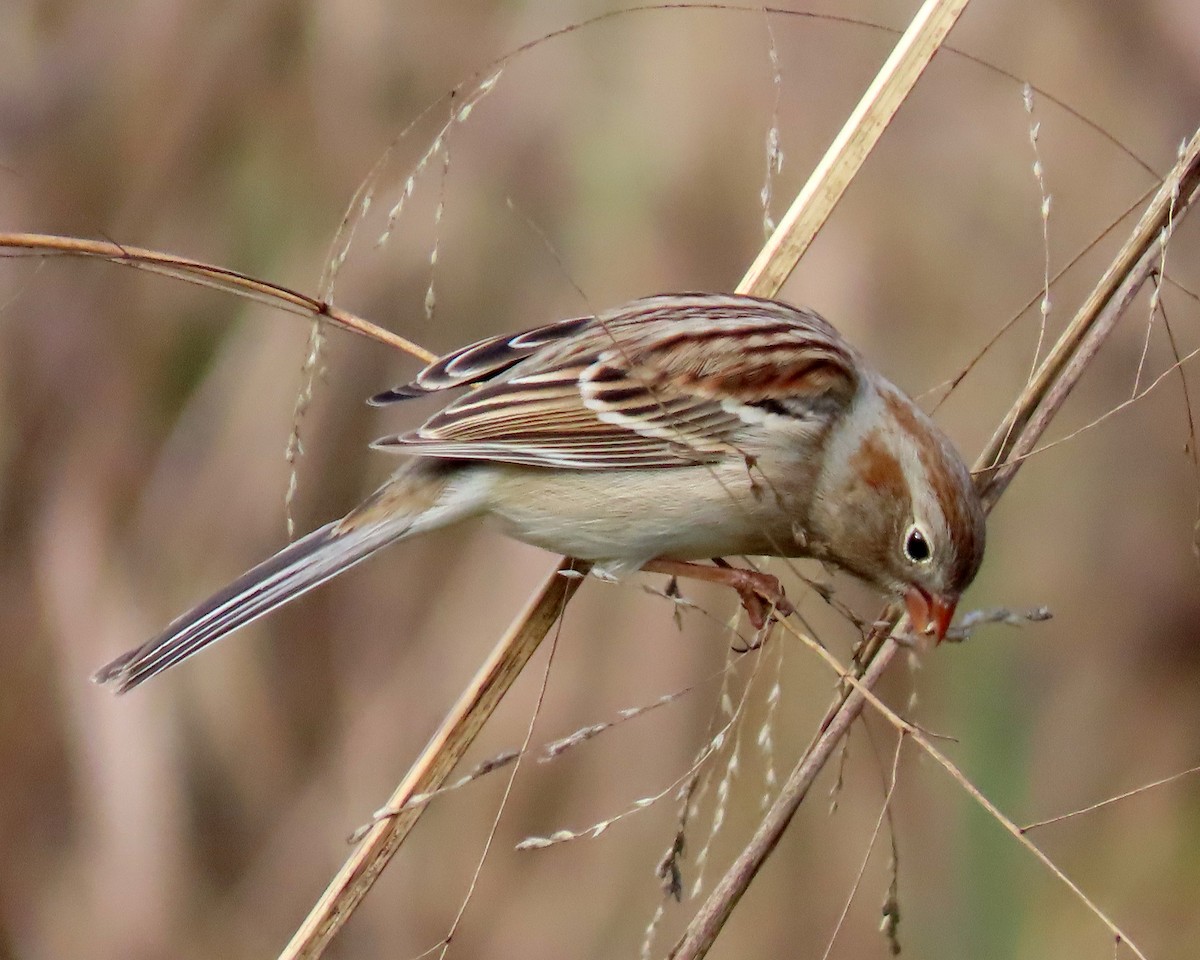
[143, 425]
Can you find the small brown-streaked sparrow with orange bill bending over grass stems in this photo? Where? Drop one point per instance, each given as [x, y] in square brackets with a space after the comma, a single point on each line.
[673, 430]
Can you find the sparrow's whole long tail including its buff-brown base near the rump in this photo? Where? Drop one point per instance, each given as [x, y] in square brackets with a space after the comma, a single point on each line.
[417, 500]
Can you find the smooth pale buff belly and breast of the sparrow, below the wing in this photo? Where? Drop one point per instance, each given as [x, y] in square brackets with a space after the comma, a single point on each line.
[634, 517]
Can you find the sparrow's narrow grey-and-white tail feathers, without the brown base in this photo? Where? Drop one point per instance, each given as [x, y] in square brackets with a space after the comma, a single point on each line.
[295, 571]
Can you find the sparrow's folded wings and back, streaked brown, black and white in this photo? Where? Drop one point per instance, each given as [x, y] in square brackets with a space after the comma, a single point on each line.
[664, 382]
